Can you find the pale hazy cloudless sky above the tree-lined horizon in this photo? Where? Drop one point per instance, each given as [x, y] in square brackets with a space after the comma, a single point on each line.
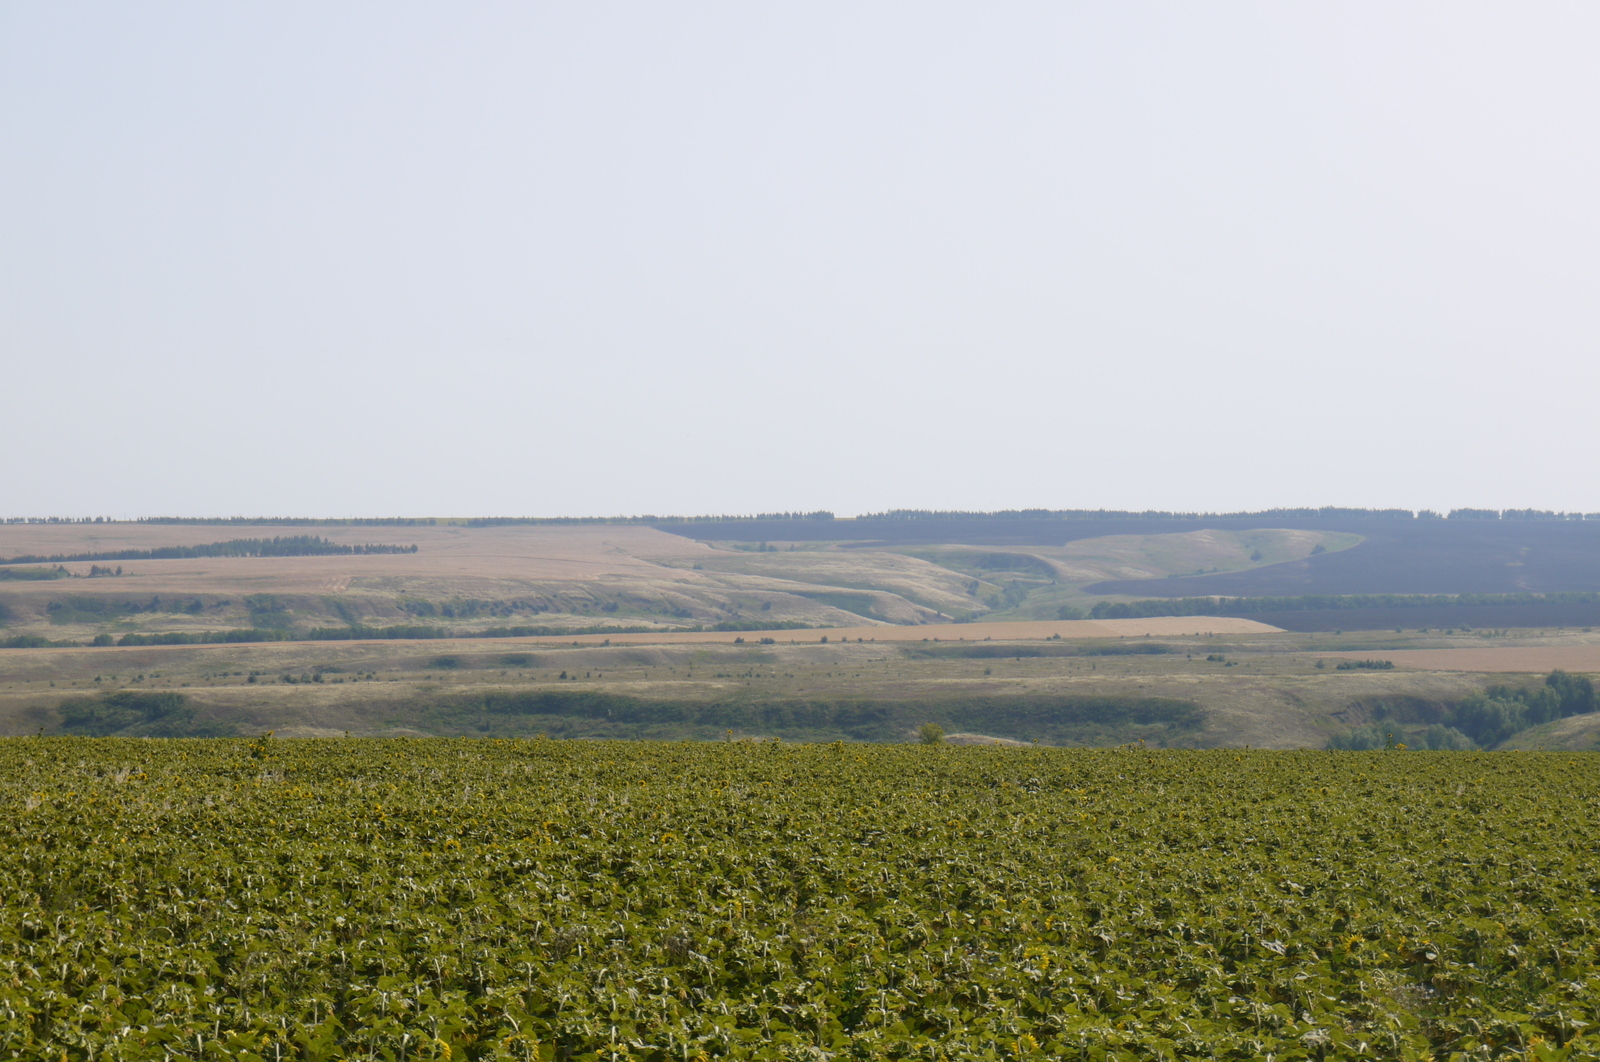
[620, 258]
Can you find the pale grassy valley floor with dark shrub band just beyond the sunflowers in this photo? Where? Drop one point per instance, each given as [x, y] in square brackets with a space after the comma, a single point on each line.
[1263, 690]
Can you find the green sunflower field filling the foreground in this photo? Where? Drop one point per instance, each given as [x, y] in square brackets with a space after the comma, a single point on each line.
[538, 900]
